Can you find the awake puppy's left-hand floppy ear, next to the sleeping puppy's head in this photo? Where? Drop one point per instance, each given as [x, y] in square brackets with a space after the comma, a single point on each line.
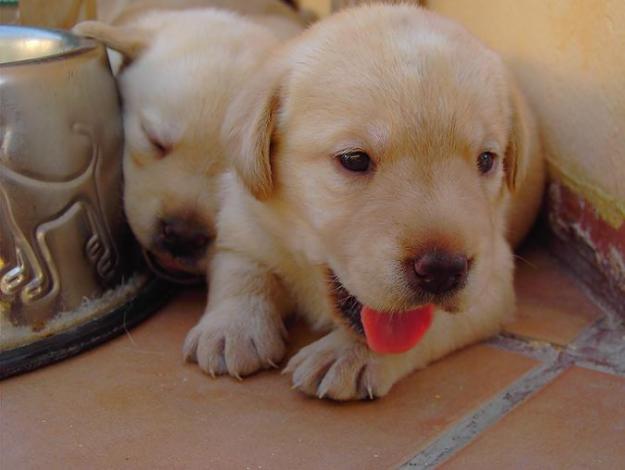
[250, 129]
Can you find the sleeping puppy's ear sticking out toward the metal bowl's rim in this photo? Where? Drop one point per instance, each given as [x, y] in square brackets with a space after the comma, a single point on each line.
[128, 41]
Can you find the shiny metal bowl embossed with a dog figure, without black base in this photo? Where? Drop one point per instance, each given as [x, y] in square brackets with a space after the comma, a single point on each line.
[61, 221]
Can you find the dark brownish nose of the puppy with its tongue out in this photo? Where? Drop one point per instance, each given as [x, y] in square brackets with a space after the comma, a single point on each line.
[439, 272]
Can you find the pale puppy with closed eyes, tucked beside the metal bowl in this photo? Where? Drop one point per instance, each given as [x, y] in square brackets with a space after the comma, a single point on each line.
[179, 73]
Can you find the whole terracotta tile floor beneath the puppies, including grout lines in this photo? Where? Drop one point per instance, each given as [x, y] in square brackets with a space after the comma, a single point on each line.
[548, 393]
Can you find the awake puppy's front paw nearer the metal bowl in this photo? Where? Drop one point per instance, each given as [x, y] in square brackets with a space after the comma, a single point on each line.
[229, 341]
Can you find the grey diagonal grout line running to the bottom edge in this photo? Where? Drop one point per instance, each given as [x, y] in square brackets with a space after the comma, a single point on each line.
[469, 427]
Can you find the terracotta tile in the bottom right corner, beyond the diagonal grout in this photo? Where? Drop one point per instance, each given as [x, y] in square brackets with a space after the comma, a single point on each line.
[577, 421]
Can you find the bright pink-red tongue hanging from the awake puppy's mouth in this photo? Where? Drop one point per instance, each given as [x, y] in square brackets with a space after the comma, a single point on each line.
[398, 332]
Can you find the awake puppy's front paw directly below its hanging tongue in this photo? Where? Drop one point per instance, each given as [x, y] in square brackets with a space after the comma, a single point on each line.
[340, 368]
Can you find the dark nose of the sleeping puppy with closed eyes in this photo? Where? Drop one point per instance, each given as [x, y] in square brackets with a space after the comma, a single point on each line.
[182, 239]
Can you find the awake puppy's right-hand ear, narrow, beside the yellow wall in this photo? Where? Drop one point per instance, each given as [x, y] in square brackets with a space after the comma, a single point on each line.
[523, 138]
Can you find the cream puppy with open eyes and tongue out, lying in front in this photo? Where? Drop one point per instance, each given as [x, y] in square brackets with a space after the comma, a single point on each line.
[385, 164]
